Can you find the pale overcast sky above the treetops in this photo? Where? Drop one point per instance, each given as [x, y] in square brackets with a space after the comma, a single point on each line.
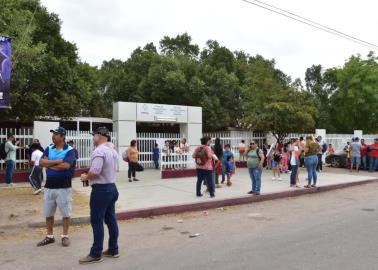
[103, 30]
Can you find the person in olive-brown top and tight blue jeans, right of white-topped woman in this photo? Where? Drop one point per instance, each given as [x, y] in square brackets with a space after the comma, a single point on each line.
[311, 150]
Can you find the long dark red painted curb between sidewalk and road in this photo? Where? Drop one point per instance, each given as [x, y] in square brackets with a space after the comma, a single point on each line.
[199, 206]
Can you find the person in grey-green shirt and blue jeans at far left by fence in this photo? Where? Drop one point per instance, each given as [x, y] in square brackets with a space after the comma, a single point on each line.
[10, 160]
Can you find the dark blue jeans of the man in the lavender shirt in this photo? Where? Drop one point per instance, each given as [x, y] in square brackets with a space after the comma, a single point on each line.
[102, 203]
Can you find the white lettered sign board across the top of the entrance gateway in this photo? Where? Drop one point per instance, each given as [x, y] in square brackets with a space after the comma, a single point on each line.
[147, 112]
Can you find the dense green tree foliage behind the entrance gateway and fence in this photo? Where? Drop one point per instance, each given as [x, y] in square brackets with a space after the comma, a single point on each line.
[234, 88]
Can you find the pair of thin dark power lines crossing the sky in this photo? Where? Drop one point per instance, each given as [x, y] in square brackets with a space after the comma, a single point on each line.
[311, 23]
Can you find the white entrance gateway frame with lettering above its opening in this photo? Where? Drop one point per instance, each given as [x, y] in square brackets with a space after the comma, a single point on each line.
[127, 114]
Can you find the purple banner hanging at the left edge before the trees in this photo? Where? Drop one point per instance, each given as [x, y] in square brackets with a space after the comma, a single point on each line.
[5, 71]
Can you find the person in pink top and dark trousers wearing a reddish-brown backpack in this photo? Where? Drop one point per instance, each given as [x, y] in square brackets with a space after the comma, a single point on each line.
[203, 158]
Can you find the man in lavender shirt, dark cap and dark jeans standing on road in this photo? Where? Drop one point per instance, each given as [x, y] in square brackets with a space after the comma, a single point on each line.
[102, 178]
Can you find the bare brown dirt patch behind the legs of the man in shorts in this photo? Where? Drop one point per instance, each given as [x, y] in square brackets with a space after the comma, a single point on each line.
[20, 207]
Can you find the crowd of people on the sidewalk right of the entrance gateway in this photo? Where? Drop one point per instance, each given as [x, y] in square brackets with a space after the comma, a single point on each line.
[214, 160]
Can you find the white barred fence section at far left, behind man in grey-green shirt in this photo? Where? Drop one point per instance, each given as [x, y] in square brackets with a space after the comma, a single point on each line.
[25, 135]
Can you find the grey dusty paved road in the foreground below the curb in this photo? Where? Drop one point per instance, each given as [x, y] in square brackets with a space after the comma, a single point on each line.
[334, 230]
